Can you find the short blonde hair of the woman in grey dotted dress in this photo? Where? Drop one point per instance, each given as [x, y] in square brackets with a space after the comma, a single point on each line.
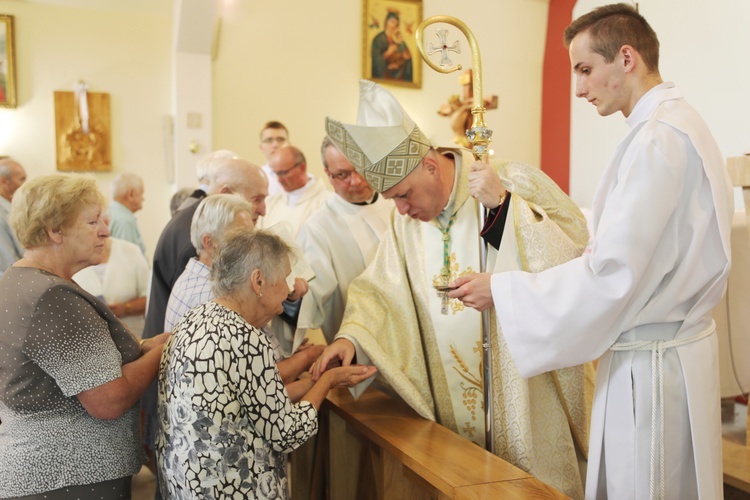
[51, 202]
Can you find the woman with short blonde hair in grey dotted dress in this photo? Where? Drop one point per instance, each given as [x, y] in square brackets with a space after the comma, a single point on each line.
[70, 372]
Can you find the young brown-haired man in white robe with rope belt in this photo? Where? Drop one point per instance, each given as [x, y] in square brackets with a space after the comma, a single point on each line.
[641, 295]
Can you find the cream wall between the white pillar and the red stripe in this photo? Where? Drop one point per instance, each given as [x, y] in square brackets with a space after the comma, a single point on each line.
[299, 65]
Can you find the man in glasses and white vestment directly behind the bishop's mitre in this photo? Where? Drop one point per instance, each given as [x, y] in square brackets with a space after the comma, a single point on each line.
[338, 241]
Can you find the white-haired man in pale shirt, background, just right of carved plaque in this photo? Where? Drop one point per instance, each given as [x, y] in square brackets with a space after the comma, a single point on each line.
[127, 193]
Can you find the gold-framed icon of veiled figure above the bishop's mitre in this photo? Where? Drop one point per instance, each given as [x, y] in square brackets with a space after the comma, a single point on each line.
[389, 44]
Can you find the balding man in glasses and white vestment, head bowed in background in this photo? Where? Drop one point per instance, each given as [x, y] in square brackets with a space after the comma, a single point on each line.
[302, 193]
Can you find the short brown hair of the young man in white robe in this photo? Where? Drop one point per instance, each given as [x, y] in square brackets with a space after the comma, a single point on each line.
[615, 25]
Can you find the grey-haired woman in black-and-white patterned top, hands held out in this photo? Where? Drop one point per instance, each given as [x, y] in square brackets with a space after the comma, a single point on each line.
[225, 419]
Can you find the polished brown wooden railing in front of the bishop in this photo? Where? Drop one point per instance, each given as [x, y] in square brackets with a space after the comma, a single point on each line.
[380, 448]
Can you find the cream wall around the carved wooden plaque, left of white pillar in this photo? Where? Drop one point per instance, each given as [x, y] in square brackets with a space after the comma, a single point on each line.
[126, 54]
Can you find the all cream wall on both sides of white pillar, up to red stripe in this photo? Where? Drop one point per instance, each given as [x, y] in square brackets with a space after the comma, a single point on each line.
[292, 61]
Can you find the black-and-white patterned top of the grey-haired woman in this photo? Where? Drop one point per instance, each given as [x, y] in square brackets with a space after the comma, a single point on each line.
[225, 419]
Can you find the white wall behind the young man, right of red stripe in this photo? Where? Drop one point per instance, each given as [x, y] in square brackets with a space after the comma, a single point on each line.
[704, 50]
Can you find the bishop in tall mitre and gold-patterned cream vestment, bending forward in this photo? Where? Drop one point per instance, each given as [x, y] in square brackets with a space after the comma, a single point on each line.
[427, 346]
